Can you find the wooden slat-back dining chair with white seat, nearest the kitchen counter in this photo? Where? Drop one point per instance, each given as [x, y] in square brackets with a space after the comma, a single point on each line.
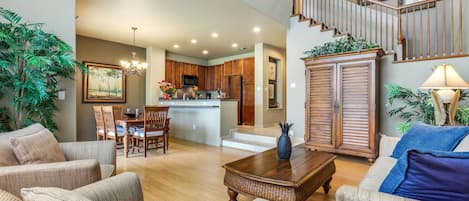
[155, 128]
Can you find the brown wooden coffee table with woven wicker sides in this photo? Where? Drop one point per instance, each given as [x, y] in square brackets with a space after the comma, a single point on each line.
[264, 176]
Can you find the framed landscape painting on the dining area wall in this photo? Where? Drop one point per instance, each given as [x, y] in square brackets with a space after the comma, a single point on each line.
[104, 83]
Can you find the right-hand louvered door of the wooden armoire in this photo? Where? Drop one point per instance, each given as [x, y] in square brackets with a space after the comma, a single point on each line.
[355, 95]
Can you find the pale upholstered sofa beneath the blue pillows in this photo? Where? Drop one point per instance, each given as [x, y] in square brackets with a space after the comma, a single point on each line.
[367, 190]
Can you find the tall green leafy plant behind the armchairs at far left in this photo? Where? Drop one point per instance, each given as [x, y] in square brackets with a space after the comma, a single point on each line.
[32, 62]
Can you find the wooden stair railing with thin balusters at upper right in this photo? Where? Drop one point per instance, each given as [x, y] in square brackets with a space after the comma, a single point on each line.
[427, 29]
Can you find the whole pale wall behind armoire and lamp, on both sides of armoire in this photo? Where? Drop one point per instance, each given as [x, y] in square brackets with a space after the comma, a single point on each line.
[300, 37]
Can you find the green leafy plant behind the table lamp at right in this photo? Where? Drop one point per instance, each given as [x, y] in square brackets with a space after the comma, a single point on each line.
[413, 106]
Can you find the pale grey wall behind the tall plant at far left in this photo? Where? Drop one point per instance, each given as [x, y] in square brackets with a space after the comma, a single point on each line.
[59, 19]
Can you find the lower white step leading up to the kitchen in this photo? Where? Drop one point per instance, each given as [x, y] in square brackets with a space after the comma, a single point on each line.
[247, 145]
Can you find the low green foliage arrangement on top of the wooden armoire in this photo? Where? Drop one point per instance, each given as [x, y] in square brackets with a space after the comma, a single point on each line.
[341, 45]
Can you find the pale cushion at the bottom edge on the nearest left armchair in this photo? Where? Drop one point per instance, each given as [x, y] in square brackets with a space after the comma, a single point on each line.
[50, 194]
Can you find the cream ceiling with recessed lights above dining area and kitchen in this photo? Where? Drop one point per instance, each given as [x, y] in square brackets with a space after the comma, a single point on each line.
[163, 23]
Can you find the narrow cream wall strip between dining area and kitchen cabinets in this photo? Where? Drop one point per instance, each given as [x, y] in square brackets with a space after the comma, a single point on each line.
[156, 59]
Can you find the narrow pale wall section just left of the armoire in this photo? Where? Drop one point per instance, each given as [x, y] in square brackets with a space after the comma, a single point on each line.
[300, 37]
